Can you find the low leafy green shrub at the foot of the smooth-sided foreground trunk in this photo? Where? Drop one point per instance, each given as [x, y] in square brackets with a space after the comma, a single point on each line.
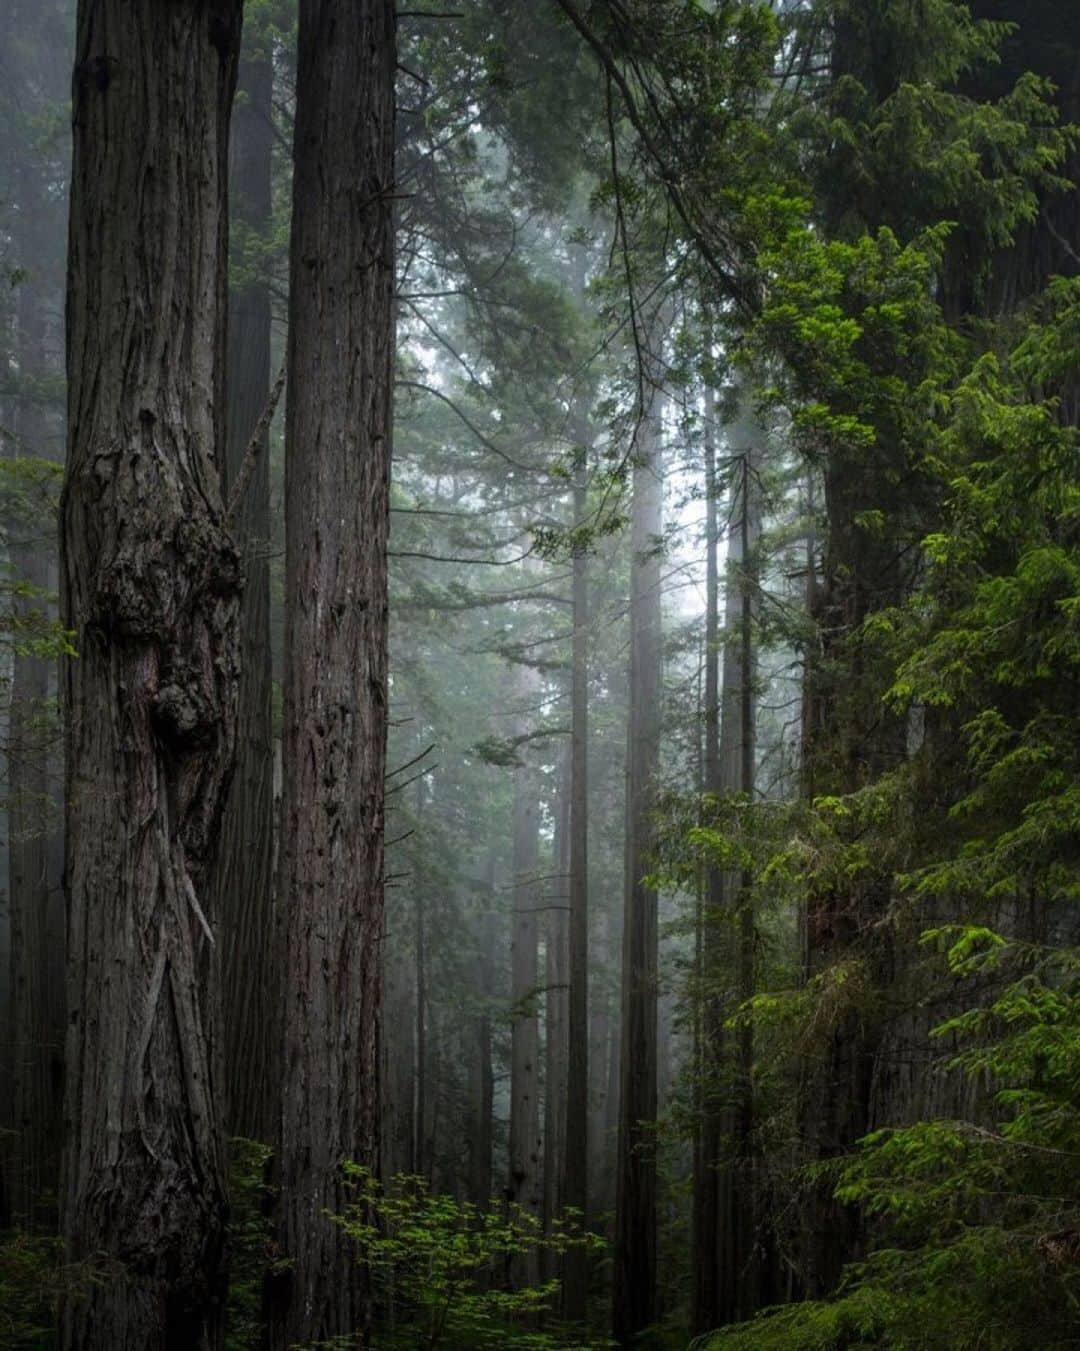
[439, 1268]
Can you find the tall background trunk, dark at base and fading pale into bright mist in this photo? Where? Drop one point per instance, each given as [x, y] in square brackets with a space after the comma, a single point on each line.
[636, 1199]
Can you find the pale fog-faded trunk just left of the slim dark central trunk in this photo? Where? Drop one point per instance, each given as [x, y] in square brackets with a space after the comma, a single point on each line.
[524, 1186]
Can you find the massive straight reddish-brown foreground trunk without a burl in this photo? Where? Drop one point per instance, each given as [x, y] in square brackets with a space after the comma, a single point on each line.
[337, 480]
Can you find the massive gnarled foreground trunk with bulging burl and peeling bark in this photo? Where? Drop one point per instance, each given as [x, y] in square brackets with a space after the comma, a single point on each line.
[151, 586]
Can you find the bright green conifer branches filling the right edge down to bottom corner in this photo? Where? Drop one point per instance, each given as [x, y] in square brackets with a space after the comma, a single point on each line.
[977, 1218]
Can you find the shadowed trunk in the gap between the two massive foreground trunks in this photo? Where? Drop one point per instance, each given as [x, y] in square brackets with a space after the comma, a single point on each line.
[244, 879]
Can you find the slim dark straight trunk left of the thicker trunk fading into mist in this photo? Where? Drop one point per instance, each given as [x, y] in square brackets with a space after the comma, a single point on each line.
[575, 1177]
